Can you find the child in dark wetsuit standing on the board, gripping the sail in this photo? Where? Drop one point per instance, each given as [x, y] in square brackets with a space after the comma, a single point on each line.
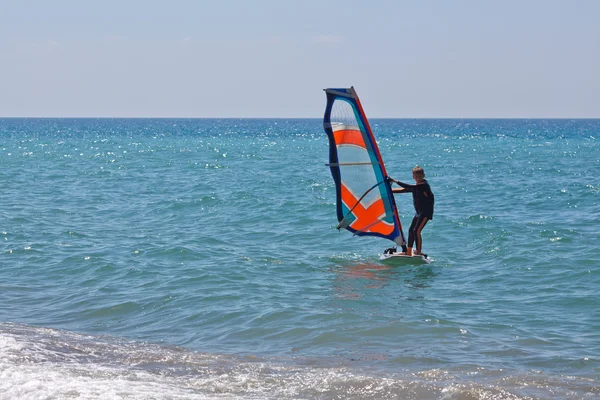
[423, 201]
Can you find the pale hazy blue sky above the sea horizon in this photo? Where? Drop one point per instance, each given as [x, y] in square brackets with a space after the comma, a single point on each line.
[272, 58]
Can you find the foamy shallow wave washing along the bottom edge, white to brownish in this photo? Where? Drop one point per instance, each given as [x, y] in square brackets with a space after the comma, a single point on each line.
[37, 362]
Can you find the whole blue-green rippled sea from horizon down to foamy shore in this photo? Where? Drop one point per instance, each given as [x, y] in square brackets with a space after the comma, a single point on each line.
[198, 259]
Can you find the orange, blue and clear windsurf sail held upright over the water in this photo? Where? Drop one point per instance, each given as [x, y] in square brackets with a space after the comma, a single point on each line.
[364, 200]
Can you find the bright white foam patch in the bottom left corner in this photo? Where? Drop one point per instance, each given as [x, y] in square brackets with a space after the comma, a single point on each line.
[26, 372]
